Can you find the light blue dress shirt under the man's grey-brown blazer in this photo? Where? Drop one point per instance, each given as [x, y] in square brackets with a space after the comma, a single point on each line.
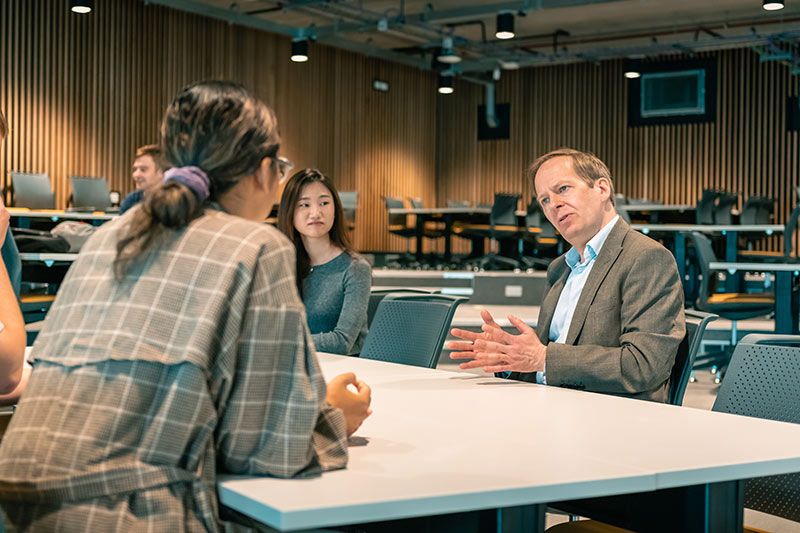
[562, 316]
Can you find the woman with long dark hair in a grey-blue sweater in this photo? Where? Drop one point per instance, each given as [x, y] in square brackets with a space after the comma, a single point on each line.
[333, 280]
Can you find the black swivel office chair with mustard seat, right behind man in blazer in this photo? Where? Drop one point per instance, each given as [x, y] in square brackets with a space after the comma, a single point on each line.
[731, 305]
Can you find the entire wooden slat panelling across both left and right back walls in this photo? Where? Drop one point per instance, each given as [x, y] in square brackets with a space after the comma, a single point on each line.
[82, 92]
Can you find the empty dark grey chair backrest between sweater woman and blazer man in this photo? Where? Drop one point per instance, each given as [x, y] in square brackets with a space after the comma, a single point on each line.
[410, 328]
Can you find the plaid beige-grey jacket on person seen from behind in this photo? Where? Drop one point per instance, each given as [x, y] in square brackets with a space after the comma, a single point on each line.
[199, 362]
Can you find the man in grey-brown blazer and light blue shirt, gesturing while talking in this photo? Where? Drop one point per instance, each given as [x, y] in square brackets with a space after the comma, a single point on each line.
[612, 316]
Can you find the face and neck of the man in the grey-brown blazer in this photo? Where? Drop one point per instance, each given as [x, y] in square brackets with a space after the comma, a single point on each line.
[576, 210]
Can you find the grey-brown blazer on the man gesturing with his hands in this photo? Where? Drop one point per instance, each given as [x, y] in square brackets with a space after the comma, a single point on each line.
[627, 325]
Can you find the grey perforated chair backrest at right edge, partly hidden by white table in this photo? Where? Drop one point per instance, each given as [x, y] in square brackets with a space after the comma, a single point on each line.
[763, 381]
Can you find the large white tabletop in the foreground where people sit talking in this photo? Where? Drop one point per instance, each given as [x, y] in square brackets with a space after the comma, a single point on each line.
[443, 442]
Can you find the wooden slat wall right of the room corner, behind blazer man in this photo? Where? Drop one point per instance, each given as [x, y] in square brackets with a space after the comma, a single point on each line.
[747, 150]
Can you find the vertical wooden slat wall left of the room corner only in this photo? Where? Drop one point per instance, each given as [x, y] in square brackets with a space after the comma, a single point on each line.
[82, 92]
